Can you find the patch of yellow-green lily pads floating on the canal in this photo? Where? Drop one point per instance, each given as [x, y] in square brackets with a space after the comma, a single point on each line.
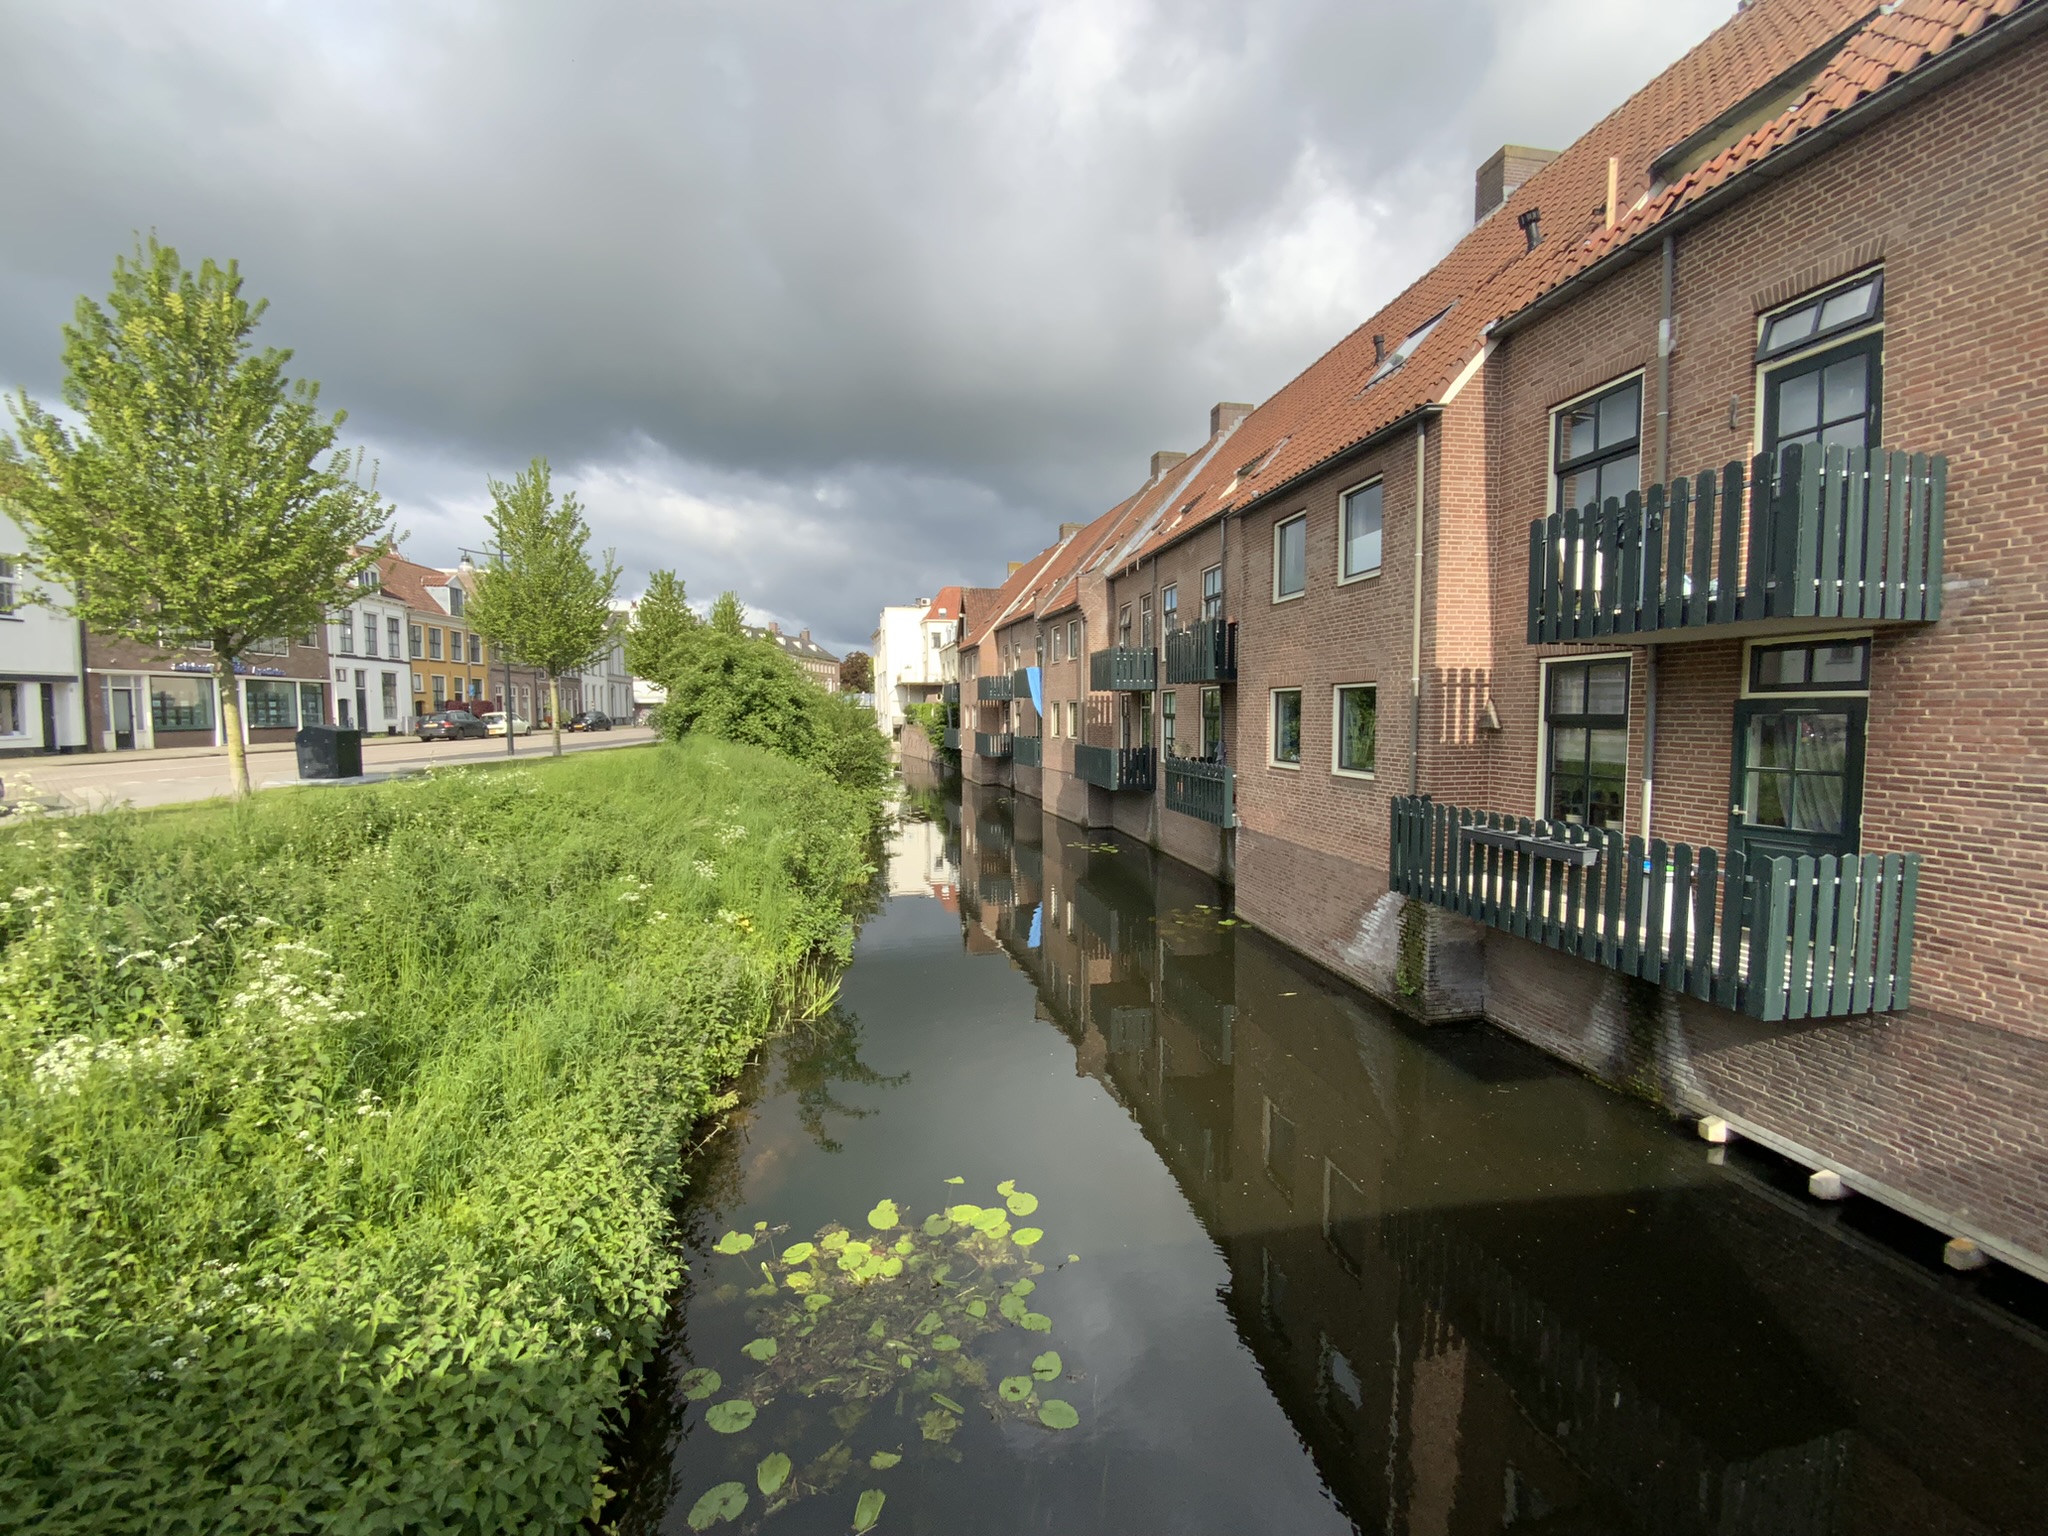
[876, 1342]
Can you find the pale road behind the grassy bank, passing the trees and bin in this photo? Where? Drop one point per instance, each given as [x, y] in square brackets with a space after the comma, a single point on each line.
[101, 779]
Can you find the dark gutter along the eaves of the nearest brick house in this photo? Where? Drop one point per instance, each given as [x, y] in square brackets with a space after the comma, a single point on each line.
[1936, 73]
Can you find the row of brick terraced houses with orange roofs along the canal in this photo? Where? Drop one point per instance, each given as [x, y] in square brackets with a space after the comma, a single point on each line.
[1625, 634]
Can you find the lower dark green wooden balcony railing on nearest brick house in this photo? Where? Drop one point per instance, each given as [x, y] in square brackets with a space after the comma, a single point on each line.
[1777, 939]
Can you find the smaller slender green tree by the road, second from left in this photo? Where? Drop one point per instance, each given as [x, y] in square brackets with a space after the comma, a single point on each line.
[544, 601]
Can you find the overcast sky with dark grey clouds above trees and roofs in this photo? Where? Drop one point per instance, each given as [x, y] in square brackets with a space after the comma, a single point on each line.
[830, 304]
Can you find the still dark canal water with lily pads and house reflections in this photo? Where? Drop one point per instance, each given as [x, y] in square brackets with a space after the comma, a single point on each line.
[1095, 1211]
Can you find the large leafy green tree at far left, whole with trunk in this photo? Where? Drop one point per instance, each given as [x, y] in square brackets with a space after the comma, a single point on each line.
[200, 499]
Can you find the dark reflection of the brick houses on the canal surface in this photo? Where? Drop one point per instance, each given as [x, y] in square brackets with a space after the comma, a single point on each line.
[1488, 1293]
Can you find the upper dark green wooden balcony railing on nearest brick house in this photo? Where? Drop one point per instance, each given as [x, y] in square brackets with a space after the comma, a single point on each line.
[1848, 536]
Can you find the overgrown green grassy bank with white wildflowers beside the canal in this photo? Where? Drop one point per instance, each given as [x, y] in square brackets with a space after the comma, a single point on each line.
[339, 1132]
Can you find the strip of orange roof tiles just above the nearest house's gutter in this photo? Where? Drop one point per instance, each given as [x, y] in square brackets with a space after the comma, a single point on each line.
[1891, 44]
